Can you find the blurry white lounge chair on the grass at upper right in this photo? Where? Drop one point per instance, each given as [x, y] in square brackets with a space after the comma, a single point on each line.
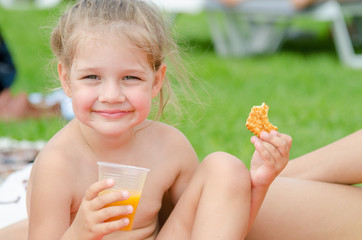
[260, 26]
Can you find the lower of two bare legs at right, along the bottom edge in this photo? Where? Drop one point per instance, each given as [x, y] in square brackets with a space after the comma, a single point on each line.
[301, 209]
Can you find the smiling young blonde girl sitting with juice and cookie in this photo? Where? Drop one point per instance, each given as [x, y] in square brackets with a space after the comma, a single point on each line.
[112, 64]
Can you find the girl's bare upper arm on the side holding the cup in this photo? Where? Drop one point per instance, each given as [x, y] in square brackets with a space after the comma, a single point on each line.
[49, 199]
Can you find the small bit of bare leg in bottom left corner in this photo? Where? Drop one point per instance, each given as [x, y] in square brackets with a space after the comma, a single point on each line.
[16, 231]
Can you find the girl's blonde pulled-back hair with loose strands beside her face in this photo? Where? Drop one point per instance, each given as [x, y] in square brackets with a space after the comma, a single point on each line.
[140, 21]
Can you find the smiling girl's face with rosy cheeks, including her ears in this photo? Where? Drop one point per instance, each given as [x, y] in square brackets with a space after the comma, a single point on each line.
[111, 84]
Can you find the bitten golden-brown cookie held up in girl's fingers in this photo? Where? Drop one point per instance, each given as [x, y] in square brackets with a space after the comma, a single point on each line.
[258, 120]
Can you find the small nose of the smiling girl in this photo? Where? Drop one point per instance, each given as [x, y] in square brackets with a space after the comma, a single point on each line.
[111, 93]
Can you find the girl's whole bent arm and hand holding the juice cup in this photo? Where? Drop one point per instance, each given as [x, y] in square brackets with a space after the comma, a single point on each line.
[51, 196]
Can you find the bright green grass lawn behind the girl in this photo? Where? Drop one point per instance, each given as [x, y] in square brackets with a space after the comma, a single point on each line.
[311, 95]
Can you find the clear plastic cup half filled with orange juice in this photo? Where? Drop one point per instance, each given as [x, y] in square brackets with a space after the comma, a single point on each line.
[127, 178]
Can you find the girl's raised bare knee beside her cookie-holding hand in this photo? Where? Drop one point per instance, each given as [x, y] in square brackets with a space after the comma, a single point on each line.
[227, 170]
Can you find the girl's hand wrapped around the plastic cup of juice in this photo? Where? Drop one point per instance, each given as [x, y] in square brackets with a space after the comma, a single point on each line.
[89, 222]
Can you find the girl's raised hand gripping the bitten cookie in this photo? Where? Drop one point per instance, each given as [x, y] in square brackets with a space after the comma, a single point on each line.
[270, 157]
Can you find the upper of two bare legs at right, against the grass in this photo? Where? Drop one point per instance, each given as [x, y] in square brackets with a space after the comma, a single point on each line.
[338, 162]
